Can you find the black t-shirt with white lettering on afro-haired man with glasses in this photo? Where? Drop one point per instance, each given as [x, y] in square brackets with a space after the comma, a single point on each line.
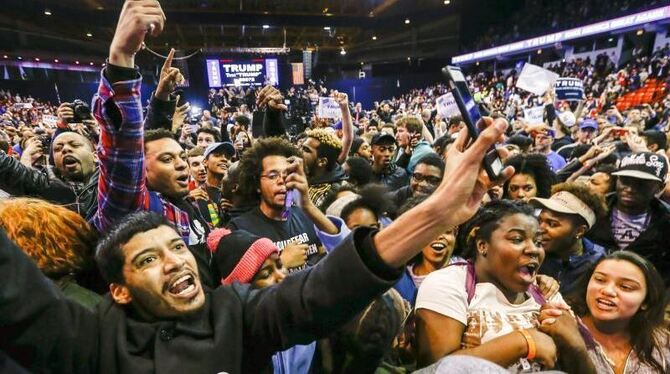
[298, 227]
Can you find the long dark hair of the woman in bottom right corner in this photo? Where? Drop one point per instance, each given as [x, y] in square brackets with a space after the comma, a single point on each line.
[646, 326]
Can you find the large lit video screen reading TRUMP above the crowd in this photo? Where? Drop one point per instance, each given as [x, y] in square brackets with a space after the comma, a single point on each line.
[242, 73]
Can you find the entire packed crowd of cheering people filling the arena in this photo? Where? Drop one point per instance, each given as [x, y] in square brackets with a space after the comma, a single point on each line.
[164, 239]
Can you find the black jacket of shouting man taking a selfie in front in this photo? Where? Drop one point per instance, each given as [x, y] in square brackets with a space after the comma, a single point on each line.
[236, 331]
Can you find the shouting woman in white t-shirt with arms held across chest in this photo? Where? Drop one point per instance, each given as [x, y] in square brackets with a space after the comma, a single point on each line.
[488, 307]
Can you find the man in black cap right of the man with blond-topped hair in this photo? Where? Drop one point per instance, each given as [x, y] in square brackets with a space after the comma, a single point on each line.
[385, 170]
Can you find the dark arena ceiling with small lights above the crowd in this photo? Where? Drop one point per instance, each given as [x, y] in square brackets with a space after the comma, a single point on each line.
[367, 29]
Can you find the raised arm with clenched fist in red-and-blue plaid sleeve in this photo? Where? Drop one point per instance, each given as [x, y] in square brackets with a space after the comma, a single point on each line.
[118, 109]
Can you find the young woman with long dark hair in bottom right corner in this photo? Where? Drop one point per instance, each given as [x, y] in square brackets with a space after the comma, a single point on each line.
[620, 301]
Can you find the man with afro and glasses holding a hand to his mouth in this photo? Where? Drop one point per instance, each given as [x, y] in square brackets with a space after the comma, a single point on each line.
[271, 173]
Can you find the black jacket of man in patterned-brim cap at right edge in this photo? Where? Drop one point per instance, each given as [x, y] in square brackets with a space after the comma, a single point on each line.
[652, 244]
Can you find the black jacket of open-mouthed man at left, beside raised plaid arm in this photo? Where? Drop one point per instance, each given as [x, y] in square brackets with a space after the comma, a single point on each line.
[20, 180]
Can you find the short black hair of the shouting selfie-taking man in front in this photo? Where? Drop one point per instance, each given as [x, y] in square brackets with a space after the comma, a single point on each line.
[109, 255]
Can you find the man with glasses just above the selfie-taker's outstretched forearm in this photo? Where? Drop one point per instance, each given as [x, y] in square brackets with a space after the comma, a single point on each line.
[425, 179]
